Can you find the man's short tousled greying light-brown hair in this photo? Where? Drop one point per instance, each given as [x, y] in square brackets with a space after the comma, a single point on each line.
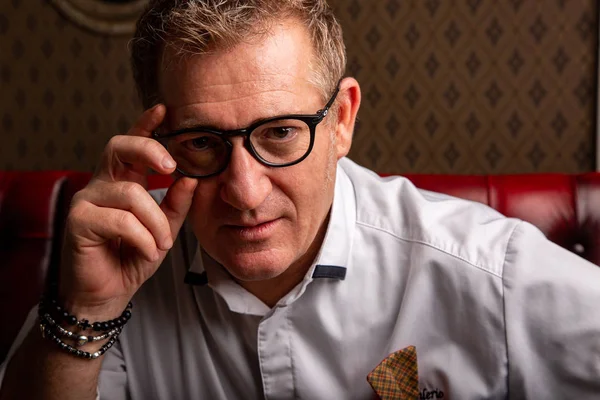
[202, 26]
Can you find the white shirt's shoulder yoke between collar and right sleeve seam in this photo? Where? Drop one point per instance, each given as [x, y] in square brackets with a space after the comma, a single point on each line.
[470, 232]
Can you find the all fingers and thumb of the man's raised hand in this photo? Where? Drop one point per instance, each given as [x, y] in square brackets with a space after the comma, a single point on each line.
[115, 205]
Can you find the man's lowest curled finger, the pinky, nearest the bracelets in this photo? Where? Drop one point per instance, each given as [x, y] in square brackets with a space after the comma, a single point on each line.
[93, 226]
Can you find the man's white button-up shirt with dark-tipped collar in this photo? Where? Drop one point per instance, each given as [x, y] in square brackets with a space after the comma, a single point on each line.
[494, 310]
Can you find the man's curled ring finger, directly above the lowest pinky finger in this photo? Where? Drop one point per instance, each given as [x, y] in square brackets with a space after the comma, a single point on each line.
[134, 198]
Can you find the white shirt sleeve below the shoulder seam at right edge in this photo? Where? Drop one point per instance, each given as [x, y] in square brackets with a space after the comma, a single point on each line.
[552, 319]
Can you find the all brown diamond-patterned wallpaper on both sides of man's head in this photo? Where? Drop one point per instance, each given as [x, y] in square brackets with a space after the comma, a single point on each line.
[449, 86]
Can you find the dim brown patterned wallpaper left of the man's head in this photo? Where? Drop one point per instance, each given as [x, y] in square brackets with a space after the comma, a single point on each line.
[65, 90]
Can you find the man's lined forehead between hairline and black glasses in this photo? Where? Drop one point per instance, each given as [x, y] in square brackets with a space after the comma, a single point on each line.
[274, 64]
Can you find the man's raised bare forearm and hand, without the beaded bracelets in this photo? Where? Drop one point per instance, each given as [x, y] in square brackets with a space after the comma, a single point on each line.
[116, 237]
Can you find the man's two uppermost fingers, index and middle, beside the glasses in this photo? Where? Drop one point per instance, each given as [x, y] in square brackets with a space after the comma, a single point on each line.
[128, 157]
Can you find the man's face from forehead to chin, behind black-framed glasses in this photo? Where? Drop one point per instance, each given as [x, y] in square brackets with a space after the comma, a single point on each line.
[256, 221]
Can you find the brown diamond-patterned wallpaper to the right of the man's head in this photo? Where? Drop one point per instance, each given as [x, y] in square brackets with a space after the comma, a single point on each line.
[474, 86]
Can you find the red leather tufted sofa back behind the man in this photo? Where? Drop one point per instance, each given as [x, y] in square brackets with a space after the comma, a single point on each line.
[33, 206]
